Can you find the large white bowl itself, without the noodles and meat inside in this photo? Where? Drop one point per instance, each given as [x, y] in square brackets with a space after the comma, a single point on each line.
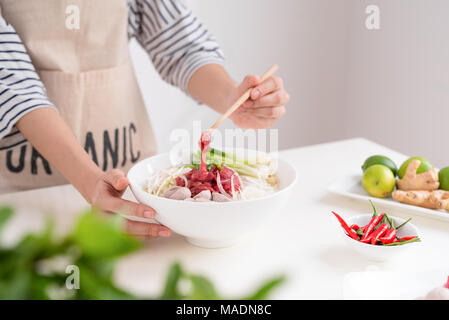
[210, 224]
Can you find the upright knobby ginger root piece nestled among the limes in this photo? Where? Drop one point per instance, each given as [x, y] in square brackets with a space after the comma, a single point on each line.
[427, 181]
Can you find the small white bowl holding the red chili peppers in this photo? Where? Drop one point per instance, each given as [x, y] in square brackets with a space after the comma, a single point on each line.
[381, 253]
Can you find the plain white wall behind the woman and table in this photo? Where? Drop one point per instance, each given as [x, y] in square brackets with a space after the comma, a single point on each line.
[389, 85]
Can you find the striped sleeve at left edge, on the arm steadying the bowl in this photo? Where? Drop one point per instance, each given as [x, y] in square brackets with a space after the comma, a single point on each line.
[21, 90]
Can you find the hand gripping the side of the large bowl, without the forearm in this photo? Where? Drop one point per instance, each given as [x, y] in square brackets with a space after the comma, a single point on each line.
[107, 196]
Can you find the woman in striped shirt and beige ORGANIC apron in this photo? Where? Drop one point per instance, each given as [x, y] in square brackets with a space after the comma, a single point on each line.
[70, 107]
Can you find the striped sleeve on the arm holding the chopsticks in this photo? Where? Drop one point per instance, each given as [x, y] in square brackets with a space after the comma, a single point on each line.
[176, 41]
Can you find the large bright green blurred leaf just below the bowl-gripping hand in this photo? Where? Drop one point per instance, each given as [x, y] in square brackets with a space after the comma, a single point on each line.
[102, 238]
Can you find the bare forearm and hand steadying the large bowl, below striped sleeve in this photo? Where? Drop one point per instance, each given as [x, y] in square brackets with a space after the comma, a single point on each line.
[52, 137]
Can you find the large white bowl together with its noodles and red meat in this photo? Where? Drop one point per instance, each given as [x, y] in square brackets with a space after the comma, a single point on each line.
[250, 190]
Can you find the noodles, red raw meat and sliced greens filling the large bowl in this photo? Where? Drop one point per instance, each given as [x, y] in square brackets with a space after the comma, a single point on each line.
[215, 175]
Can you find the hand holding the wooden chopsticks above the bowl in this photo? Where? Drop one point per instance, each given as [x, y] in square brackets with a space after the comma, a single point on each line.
[265, 106]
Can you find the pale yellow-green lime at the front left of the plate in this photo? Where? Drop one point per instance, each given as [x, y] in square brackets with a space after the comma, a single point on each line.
[379, 181]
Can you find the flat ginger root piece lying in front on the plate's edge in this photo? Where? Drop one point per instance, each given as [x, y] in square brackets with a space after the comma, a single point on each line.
[427, 199]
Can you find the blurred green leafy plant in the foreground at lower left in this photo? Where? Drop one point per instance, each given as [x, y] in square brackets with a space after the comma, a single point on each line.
[35, 268]
